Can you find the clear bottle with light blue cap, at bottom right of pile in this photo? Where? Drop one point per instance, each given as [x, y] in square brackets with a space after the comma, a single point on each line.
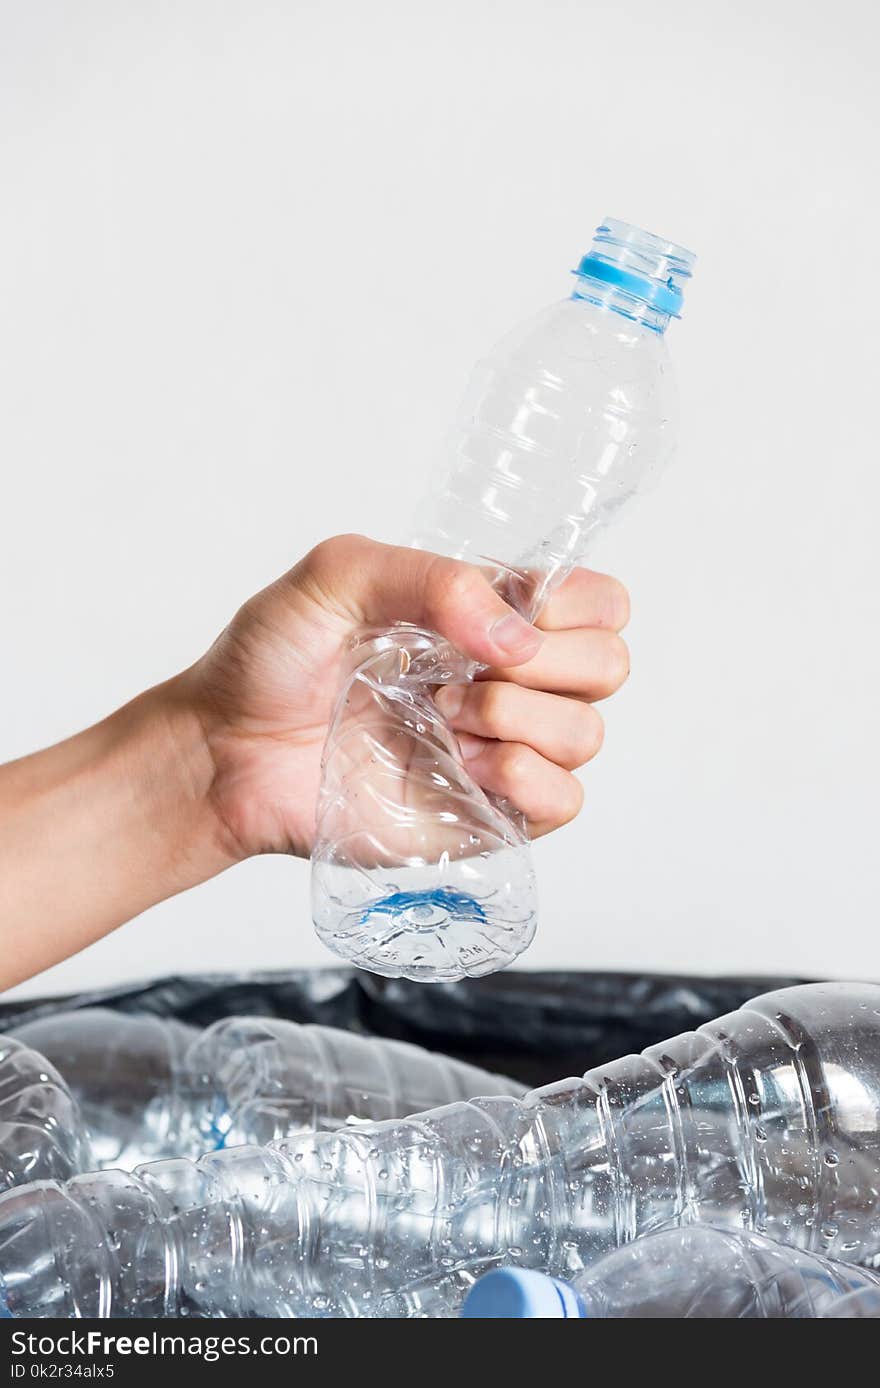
[686, 1273]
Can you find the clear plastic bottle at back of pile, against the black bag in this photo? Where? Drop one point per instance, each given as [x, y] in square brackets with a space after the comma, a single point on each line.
[152, 1087]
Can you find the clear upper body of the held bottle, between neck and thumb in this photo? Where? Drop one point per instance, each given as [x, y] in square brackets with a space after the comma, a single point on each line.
[571, 416]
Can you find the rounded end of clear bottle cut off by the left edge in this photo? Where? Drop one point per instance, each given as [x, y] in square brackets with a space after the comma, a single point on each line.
[41, 1129]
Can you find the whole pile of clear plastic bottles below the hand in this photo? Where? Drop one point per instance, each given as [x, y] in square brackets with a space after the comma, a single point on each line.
[298, 1172]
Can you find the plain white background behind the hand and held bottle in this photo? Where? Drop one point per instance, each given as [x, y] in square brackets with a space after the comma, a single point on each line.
[248, 256]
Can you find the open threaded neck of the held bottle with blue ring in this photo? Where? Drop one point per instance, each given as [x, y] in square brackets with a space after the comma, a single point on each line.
[649, 269]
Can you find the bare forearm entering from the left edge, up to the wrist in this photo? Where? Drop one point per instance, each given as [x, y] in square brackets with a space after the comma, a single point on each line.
[102, 827]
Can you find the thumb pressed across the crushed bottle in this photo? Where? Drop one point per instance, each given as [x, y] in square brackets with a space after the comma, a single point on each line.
[380, 585]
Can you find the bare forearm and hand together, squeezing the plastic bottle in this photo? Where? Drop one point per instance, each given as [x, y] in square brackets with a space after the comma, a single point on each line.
[223, 763]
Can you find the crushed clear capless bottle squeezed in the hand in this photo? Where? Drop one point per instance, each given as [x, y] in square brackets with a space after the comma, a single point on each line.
[417, 872]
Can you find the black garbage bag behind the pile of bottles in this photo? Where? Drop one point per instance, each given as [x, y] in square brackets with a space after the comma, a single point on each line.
[534, 1026]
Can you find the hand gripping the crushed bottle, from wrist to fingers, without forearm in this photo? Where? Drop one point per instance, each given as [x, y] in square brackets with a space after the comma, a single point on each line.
[266, 691]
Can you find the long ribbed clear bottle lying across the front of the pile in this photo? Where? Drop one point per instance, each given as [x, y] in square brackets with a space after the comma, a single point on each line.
[767, 1119]
